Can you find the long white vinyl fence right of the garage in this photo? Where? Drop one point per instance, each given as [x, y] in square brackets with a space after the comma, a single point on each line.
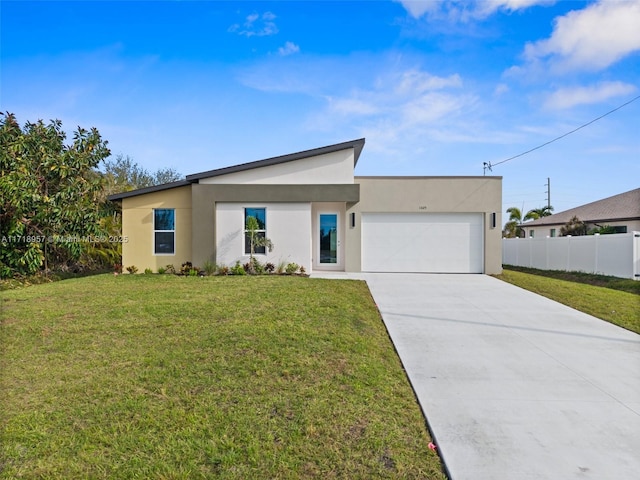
[617, 254]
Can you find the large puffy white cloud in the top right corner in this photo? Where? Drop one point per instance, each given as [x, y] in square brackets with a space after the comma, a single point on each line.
[592, 38]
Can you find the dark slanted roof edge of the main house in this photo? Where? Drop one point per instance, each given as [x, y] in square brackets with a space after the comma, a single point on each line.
[357, 145]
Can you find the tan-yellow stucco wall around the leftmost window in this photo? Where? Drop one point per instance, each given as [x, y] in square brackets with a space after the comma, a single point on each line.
[137, 225]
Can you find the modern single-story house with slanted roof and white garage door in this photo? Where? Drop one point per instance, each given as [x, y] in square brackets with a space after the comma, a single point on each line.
[319, 215]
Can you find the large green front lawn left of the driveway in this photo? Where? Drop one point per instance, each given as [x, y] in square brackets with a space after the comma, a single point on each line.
[185, 377]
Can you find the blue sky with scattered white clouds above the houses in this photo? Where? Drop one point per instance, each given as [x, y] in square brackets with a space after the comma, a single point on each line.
[435, 87]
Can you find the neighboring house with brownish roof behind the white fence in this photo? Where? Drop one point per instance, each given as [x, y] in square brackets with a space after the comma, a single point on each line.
[621, 212]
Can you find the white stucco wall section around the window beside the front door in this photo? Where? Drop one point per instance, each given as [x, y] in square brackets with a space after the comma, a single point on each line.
[288, 227]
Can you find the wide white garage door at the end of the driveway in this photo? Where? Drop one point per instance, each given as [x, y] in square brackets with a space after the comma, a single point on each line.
[422, 242]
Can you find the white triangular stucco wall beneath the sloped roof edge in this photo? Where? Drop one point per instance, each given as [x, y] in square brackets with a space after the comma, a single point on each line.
[330, 168]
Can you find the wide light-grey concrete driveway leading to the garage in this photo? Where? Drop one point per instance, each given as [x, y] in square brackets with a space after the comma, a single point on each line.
[515, 386]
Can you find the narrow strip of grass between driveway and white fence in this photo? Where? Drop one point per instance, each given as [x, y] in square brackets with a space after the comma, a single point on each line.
[621, 308]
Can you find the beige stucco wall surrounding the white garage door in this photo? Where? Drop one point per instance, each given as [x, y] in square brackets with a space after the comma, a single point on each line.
[429, 194]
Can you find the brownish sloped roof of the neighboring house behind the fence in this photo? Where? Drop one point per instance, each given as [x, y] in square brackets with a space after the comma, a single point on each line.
[624, 206]
